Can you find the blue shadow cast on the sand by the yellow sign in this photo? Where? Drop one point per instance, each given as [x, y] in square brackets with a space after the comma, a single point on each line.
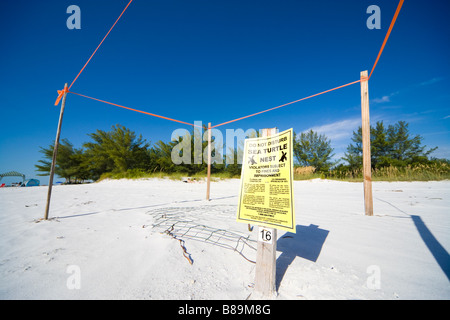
[306, 243]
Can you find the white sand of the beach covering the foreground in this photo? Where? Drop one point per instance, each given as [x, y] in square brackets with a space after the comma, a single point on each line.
[105, 231]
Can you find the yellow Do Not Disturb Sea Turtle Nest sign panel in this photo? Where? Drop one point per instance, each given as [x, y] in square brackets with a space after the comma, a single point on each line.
[266, 194]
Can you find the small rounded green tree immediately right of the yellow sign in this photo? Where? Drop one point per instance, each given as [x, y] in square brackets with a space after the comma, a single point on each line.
[312, 149]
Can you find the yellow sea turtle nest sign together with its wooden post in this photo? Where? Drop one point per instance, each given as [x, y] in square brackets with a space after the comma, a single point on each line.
[266, 199]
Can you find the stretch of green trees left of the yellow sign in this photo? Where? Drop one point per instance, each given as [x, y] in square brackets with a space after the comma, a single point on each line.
[116, 151]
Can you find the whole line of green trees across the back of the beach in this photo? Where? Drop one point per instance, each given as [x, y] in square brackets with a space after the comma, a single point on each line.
[121, 150]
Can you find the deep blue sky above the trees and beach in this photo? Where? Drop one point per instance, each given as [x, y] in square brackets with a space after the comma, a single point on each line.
[214, 61]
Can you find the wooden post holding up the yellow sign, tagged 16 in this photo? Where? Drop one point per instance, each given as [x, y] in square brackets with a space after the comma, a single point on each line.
[266, 257]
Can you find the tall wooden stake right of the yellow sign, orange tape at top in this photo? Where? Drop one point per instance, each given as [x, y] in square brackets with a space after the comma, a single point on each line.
[367, 170]
